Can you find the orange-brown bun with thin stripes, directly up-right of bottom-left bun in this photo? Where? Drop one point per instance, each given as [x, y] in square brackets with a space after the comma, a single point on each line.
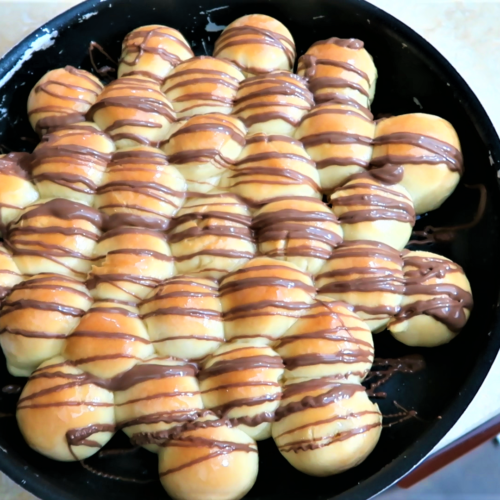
[110, 339]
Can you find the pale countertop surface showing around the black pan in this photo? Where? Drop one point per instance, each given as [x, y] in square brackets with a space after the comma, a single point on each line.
[465, 32]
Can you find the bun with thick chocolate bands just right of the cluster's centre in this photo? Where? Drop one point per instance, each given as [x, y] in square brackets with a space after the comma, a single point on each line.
[302, 231]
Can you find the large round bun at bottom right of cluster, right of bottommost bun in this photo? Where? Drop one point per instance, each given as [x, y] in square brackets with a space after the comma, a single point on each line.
[325, 426]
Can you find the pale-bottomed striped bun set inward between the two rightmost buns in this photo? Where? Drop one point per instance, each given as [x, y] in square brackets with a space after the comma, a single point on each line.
[369, 208]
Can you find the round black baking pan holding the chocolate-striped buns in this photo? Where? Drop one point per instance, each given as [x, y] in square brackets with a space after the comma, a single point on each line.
[413, 77]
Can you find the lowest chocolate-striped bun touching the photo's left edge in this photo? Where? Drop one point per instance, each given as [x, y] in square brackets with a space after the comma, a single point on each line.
[36, 318]
